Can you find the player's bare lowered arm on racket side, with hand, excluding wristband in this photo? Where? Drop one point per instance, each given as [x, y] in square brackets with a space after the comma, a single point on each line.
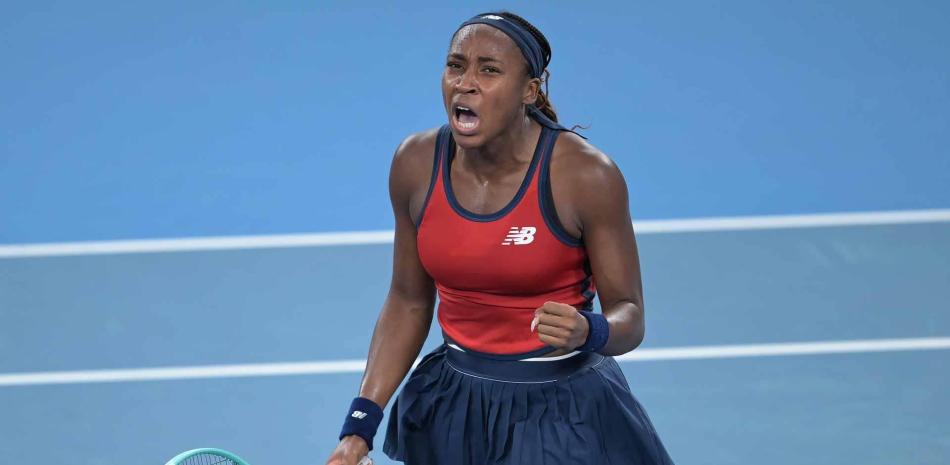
[406, 315]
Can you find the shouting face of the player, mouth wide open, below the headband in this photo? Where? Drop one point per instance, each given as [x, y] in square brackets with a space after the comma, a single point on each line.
[485, 84]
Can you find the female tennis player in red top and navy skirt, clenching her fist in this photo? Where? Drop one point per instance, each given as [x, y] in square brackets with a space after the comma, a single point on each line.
[511, 219]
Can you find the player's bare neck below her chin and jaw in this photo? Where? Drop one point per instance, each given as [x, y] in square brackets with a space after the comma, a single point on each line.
[511, 148]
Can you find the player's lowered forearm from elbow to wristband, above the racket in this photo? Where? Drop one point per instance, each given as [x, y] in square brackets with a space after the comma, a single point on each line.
[400, 331]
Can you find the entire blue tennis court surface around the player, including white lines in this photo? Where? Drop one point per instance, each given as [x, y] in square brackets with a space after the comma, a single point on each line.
[194, 220]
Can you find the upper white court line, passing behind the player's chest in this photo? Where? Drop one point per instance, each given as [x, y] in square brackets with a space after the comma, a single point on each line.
[738, 223]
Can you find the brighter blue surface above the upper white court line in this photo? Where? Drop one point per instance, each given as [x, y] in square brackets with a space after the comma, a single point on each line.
[167, 119]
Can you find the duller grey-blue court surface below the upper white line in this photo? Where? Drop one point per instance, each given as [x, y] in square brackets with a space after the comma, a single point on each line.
[264, 306]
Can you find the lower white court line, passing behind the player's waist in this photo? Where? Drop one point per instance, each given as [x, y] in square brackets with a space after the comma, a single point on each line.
[357, 366]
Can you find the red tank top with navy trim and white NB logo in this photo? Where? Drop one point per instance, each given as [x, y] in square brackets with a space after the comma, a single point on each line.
[493, 270]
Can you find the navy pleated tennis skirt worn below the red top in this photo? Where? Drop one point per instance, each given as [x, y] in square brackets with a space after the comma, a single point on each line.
[458, 408]
